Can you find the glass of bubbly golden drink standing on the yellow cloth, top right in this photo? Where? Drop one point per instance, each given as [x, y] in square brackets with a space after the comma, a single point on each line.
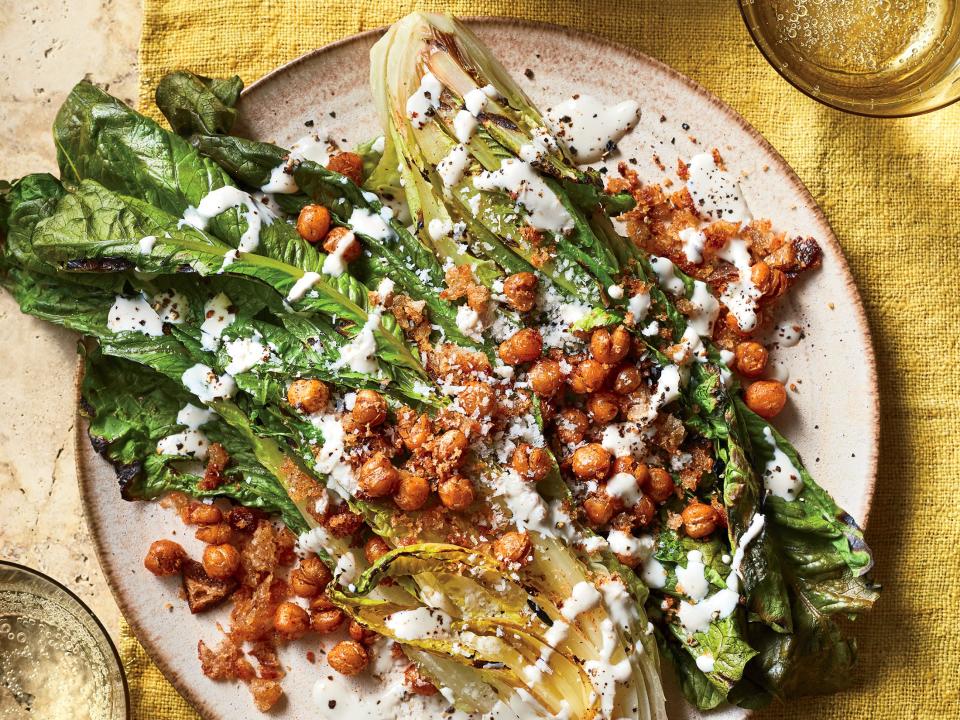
[874, 57]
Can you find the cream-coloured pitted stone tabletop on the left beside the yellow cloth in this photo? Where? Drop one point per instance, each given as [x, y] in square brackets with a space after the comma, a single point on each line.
[45, 47]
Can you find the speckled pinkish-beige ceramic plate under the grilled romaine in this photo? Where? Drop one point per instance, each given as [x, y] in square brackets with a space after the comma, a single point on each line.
[832, 417]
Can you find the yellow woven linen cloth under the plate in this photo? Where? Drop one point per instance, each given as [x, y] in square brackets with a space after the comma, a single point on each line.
[889, 188]
